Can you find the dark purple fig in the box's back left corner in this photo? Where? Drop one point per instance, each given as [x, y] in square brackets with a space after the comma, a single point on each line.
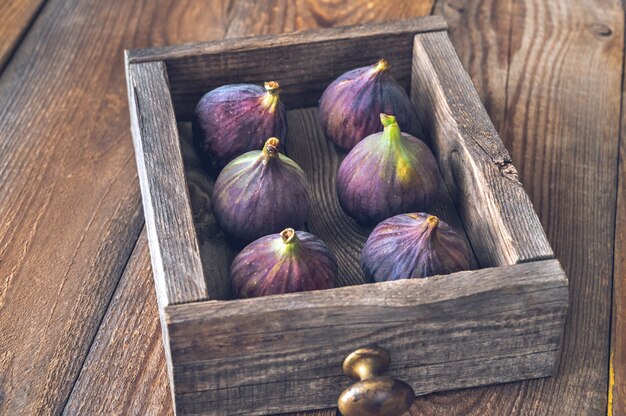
[234, 119]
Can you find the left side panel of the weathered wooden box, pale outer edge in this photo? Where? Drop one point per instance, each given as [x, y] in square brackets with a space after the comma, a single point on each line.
[178, 272]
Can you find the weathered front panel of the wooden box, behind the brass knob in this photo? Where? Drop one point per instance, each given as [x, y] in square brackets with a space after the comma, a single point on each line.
[467, 328]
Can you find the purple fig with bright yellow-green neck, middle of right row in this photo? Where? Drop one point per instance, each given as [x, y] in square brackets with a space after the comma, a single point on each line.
[386, 174]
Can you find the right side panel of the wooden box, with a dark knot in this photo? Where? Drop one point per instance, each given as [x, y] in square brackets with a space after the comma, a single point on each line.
[498, 216]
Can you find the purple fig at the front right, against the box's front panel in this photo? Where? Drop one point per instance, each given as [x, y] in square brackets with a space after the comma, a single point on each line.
[413, 246]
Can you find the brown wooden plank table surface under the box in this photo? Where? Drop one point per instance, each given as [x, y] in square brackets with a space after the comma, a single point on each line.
[79, 332]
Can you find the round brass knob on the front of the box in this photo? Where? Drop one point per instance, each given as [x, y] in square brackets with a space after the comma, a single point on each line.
[373, 394]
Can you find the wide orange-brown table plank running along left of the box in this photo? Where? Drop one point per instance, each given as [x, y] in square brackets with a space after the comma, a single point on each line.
[69, 200]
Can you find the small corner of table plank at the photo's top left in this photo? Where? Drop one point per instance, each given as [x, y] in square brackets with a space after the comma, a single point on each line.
[16, 17]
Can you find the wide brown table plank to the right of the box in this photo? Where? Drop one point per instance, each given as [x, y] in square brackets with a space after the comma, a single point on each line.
[560, 123]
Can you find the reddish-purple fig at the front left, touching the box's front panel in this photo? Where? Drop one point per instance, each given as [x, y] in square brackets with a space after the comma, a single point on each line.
[292, 261]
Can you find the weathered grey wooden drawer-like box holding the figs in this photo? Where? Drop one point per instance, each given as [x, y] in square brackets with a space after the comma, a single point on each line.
[501, 322]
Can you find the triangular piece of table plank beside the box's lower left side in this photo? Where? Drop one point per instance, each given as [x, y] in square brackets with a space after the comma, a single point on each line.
[125, 372]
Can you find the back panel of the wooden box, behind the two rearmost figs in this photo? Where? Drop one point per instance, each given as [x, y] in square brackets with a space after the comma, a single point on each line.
[195, 69]
